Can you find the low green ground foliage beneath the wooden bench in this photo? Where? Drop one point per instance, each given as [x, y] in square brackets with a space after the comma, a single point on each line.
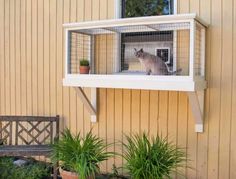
[8, 170]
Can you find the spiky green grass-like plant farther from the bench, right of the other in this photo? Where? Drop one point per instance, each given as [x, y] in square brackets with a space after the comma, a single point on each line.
[152, 159]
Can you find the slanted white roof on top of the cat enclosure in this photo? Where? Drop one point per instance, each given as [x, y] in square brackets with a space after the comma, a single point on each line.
[124, 25]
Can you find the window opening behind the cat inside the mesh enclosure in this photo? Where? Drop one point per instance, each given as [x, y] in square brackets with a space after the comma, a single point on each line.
[159, 44]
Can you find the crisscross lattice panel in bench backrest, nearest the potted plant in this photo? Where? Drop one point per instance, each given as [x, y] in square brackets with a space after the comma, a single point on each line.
[36, 132]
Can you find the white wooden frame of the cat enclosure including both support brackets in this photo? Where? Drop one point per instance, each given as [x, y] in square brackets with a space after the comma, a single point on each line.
[193, 85]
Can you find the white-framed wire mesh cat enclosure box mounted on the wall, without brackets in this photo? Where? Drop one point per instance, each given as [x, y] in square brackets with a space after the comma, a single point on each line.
[179, 40]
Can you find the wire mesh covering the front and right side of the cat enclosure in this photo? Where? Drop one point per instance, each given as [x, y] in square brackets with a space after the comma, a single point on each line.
[113, 49]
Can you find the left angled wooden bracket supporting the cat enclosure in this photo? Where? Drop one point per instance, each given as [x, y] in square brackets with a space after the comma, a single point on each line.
[90, 105]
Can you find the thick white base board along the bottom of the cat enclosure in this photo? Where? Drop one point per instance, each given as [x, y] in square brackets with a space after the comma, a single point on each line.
[170, 83]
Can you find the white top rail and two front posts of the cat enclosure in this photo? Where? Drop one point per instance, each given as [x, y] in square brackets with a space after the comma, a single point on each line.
[190, 18]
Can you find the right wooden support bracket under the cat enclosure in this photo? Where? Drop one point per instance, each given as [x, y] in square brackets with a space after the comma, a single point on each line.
[196, 101]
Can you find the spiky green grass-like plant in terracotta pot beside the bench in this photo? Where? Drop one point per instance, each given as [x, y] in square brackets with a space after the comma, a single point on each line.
[80, 155]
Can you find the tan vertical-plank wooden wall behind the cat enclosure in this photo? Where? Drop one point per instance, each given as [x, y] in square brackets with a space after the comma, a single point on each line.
[31, 72]
